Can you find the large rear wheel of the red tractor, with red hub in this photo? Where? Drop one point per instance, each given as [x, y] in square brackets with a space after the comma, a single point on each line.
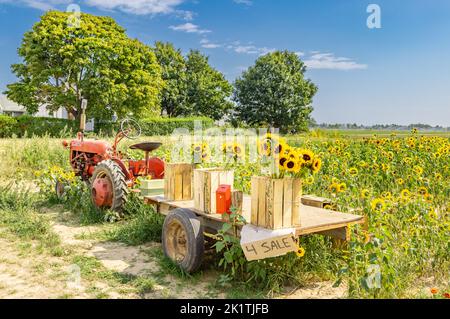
[108, 187]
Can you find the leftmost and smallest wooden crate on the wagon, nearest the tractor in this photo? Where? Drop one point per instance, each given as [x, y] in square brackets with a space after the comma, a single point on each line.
[178, 181]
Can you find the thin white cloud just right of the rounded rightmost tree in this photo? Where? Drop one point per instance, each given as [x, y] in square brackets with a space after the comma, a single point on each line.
[329, 62]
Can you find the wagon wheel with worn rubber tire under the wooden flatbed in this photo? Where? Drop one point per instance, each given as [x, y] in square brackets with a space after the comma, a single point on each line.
[182, 239]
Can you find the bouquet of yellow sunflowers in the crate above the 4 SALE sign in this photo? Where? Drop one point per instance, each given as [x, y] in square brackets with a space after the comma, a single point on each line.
[288, 161]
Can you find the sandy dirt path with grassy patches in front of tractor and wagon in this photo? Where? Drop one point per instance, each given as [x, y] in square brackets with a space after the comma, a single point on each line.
[28, 274]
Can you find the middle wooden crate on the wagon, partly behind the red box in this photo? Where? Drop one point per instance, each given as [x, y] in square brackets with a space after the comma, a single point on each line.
[206, 182]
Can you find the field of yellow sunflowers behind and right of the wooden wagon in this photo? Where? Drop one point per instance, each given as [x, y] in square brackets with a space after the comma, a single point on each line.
[402, 185]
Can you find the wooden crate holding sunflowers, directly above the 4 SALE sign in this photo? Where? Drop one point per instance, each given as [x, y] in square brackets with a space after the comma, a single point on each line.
[275, 203]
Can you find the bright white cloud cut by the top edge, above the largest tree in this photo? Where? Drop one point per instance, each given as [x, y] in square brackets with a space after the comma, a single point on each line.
[141, 7]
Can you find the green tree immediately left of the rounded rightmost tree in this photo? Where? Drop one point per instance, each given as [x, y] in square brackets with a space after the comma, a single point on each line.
[208, 91]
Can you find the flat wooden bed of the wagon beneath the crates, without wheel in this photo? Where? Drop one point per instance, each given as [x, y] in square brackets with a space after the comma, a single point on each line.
[313, 219]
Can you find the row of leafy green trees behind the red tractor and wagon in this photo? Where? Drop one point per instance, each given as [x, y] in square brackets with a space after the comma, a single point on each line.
[62, 65]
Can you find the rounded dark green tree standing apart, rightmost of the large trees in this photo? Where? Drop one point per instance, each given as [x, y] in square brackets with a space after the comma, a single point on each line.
[275, 92]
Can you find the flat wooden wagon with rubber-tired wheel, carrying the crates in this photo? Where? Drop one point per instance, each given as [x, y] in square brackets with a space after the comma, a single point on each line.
[185, 227]
